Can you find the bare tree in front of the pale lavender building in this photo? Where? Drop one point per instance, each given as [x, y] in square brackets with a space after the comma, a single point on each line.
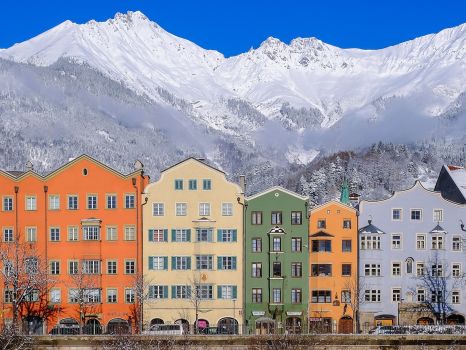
[439, 282]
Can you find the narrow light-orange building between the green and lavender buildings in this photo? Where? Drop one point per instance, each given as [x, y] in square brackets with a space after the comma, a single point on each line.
[333, 258]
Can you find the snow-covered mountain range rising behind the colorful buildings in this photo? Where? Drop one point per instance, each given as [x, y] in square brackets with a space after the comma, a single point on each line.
[282, 104]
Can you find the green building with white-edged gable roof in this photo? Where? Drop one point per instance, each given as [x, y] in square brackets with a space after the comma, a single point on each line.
[276, 262]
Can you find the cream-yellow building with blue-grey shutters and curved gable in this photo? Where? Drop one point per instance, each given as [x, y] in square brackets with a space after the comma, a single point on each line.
[193, 256]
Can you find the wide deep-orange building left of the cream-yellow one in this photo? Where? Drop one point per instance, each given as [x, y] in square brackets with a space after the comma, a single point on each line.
[83, 222]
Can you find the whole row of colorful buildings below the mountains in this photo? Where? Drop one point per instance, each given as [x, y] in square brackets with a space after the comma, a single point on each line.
[196, 251]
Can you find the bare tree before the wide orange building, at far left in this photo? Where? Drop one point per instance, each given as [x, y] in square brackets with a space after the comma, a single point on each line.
[26, 280]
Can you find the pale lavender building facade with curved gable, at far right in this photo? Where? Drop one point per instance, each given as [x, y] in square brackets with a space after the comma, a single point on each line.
[412, 234]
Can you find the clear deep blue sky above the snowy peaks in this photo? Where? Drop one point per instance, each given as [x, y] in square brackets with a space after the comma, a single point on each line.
[234, 26]
